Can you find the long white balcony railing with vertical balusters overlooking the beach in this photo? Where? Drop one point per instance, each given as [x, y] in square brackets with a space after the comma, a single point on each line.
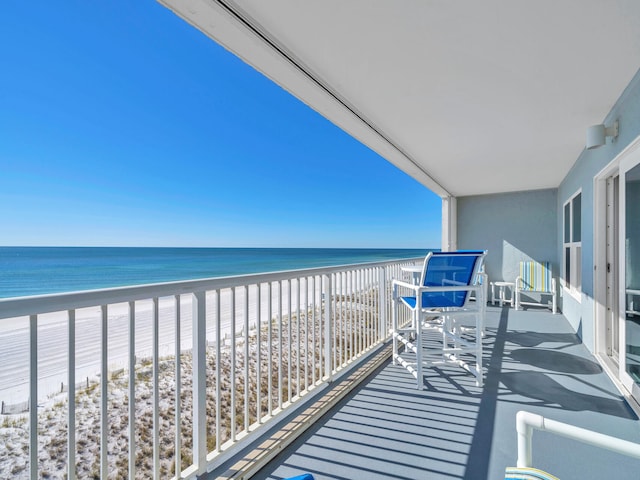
[175, 377]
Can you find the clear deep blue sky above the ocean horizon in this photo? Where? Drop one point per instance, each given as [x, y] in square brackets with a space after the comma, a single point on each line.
[120, 124]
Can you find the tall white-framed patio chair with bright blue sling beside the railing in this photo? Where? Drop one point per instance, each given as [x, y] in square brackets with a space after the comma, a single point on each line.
[438, 303]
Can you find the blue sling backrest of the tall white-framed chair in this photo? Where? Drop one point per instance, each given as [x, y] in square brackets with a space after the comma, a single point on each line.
[447, 269]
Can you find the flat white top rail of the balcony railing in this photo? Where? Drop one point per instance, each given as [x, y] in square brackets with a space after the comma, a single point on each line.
[40, 304]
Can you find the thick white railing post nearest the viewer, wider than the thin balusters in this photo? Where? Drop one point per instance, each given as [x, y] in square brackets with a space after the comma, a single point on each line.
[199, 326]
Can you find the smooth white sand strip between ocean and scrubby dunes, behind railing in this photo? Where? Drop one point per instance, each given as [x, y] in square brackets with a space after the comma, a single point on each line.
[53, 335]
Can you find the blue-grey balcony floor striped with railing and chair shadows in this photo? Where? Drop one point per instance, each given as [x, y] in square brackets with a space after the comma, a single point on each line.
[386, 429]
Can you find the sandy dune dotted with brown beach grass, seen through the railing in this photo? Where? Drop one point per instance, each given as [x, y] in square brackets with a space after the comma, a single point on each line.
[291, 355]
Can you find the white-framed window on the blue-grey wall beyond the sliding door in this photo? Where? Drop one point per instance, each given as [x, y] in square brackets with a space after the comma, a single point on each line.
[573, 244]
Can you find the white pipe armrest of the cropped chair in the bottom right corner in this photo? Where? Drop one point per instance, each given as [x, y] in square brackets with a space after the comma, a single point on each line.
[526, 422]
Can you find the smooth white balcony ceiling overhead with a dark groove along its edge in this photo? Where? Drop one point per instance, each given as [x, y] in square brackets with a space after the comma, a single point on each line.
[468, 97]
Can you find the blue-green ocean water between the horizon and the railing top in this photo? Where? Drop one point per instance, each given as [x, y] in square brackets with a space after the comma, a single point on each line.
[42, 270]
